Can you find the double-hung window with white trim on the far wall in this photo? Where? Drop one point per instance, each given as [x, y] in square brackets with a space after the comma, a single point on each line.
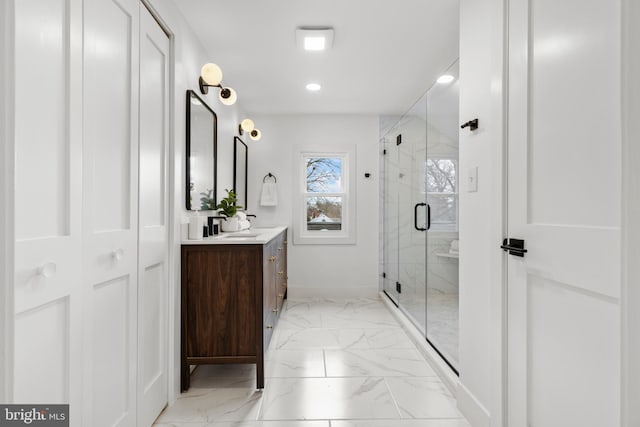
[324, 210]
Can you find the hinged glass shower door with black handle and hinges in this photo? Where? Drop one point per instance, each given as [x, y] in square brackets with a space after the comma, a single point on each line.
[405, 214]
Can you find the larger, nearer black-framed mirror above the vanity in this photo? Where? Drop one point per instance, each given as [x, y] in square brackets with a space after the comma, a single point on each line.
[201, 154]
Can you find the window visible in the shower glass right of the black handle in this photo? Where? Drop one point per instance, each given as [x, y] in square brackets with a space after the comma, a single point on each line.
[441, 186]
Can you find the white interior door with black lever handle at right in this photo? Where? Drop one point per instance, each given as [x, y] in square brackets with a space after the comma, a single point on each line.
[564, 201]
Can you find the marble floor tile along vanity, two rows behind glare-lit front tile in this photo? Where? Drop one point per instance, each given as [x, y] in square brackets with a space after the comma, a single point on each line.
[316, 338]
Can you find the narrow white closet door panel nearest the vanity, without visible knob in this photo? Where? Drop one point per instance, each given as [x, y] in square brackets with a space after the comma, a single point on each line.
[153, 205]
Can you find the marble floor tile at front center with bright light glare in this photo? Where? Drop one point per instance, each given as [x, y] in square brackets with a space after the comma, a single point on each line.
[327, 398]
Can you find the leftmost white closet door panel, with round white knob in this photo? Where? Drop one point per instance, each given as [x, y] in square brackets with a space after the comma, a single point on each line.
[48, 98]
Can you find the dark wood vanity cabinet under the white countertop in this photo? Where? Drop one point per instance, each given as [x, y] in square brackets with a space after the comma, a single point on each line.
[232, 295]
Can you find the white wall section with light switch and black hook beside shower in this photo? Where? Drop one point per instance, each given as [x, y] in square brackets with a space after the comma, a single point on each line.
[481, 216]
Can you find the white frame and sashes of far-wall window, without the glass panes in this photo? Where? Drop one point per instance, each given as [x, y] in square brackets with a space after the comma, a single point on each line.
[347, 234]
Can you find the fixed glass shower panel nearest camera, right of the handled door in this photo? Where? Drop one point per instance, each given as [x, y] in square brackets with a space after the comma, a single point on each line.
[442, 178]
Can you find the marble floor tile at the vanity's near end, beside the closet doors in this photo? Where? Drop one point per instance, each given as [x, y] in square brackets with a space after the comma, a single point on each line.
[208, 405]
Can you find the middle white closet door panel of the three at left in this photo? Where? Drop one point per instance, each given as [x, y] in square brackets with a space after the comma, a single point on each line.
[110, 217]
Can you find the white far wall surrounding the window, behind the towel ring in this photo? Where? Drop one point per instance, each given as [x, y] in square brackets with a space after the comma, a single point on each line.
[341, 270]
